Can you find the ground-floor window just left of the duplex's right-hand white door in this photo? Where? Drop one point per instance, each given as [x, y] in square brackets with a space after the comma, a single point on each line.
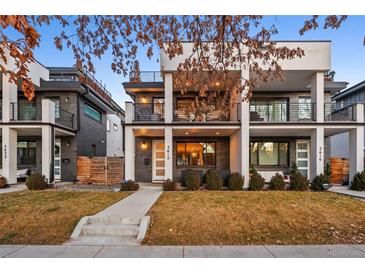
[269, 153]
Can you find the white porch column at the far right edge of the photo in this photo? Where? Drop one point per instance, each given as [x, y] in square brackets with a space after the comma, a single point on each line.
[356, 151]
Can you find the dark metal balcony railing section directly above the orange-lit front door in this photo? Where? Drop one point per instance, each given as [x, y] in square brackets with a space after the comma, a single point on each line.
[153, 112]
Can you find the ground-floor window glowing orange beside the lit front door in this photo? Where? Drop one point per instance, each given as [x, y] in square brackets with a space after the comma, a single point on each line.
[195, 153]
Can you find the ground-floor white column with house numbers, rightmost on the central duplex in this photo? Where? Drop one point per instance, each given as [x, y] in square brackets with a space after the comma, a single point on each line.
[317, 152]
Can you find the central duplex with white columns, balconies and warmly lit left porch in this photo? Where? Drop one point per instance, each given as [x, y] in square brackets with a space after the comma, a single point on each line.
[284, 122]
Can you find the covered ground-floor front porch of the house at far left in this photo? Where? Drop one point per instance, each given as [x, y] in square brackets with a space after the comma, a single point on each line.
[38, 148]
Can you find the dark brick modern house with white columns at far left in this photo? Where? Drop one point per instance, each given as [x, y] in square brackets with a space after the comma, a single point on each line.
[67, 118]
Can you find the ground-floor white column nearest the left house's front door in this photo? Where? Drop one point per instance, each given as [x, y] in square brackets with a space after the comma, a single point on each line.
[47, 152]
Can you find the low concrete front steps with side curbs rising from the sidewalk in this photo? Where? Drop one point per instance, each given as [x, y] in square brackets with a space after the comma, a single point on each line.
[109, 230]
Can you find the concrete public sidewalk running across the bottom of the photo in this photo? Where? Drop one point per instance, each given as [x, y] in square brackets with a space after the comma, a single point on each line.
[299, 251]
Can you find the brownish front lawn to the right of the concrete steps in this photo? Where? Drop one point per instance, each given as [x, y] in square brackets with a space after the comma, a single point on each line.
[255, 218]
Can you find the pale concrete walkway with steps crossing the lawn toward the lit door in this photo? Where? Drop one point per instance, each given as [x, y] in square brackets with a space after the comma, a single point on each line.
[123, 223]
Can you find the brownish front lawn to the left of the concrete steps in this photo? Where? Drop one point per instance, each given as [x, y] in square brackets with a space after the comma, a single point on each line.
[48, 216]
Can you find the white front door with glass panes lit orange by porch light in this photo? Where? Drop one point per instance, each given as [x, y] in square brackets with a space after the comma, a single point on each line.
[158, 160]
